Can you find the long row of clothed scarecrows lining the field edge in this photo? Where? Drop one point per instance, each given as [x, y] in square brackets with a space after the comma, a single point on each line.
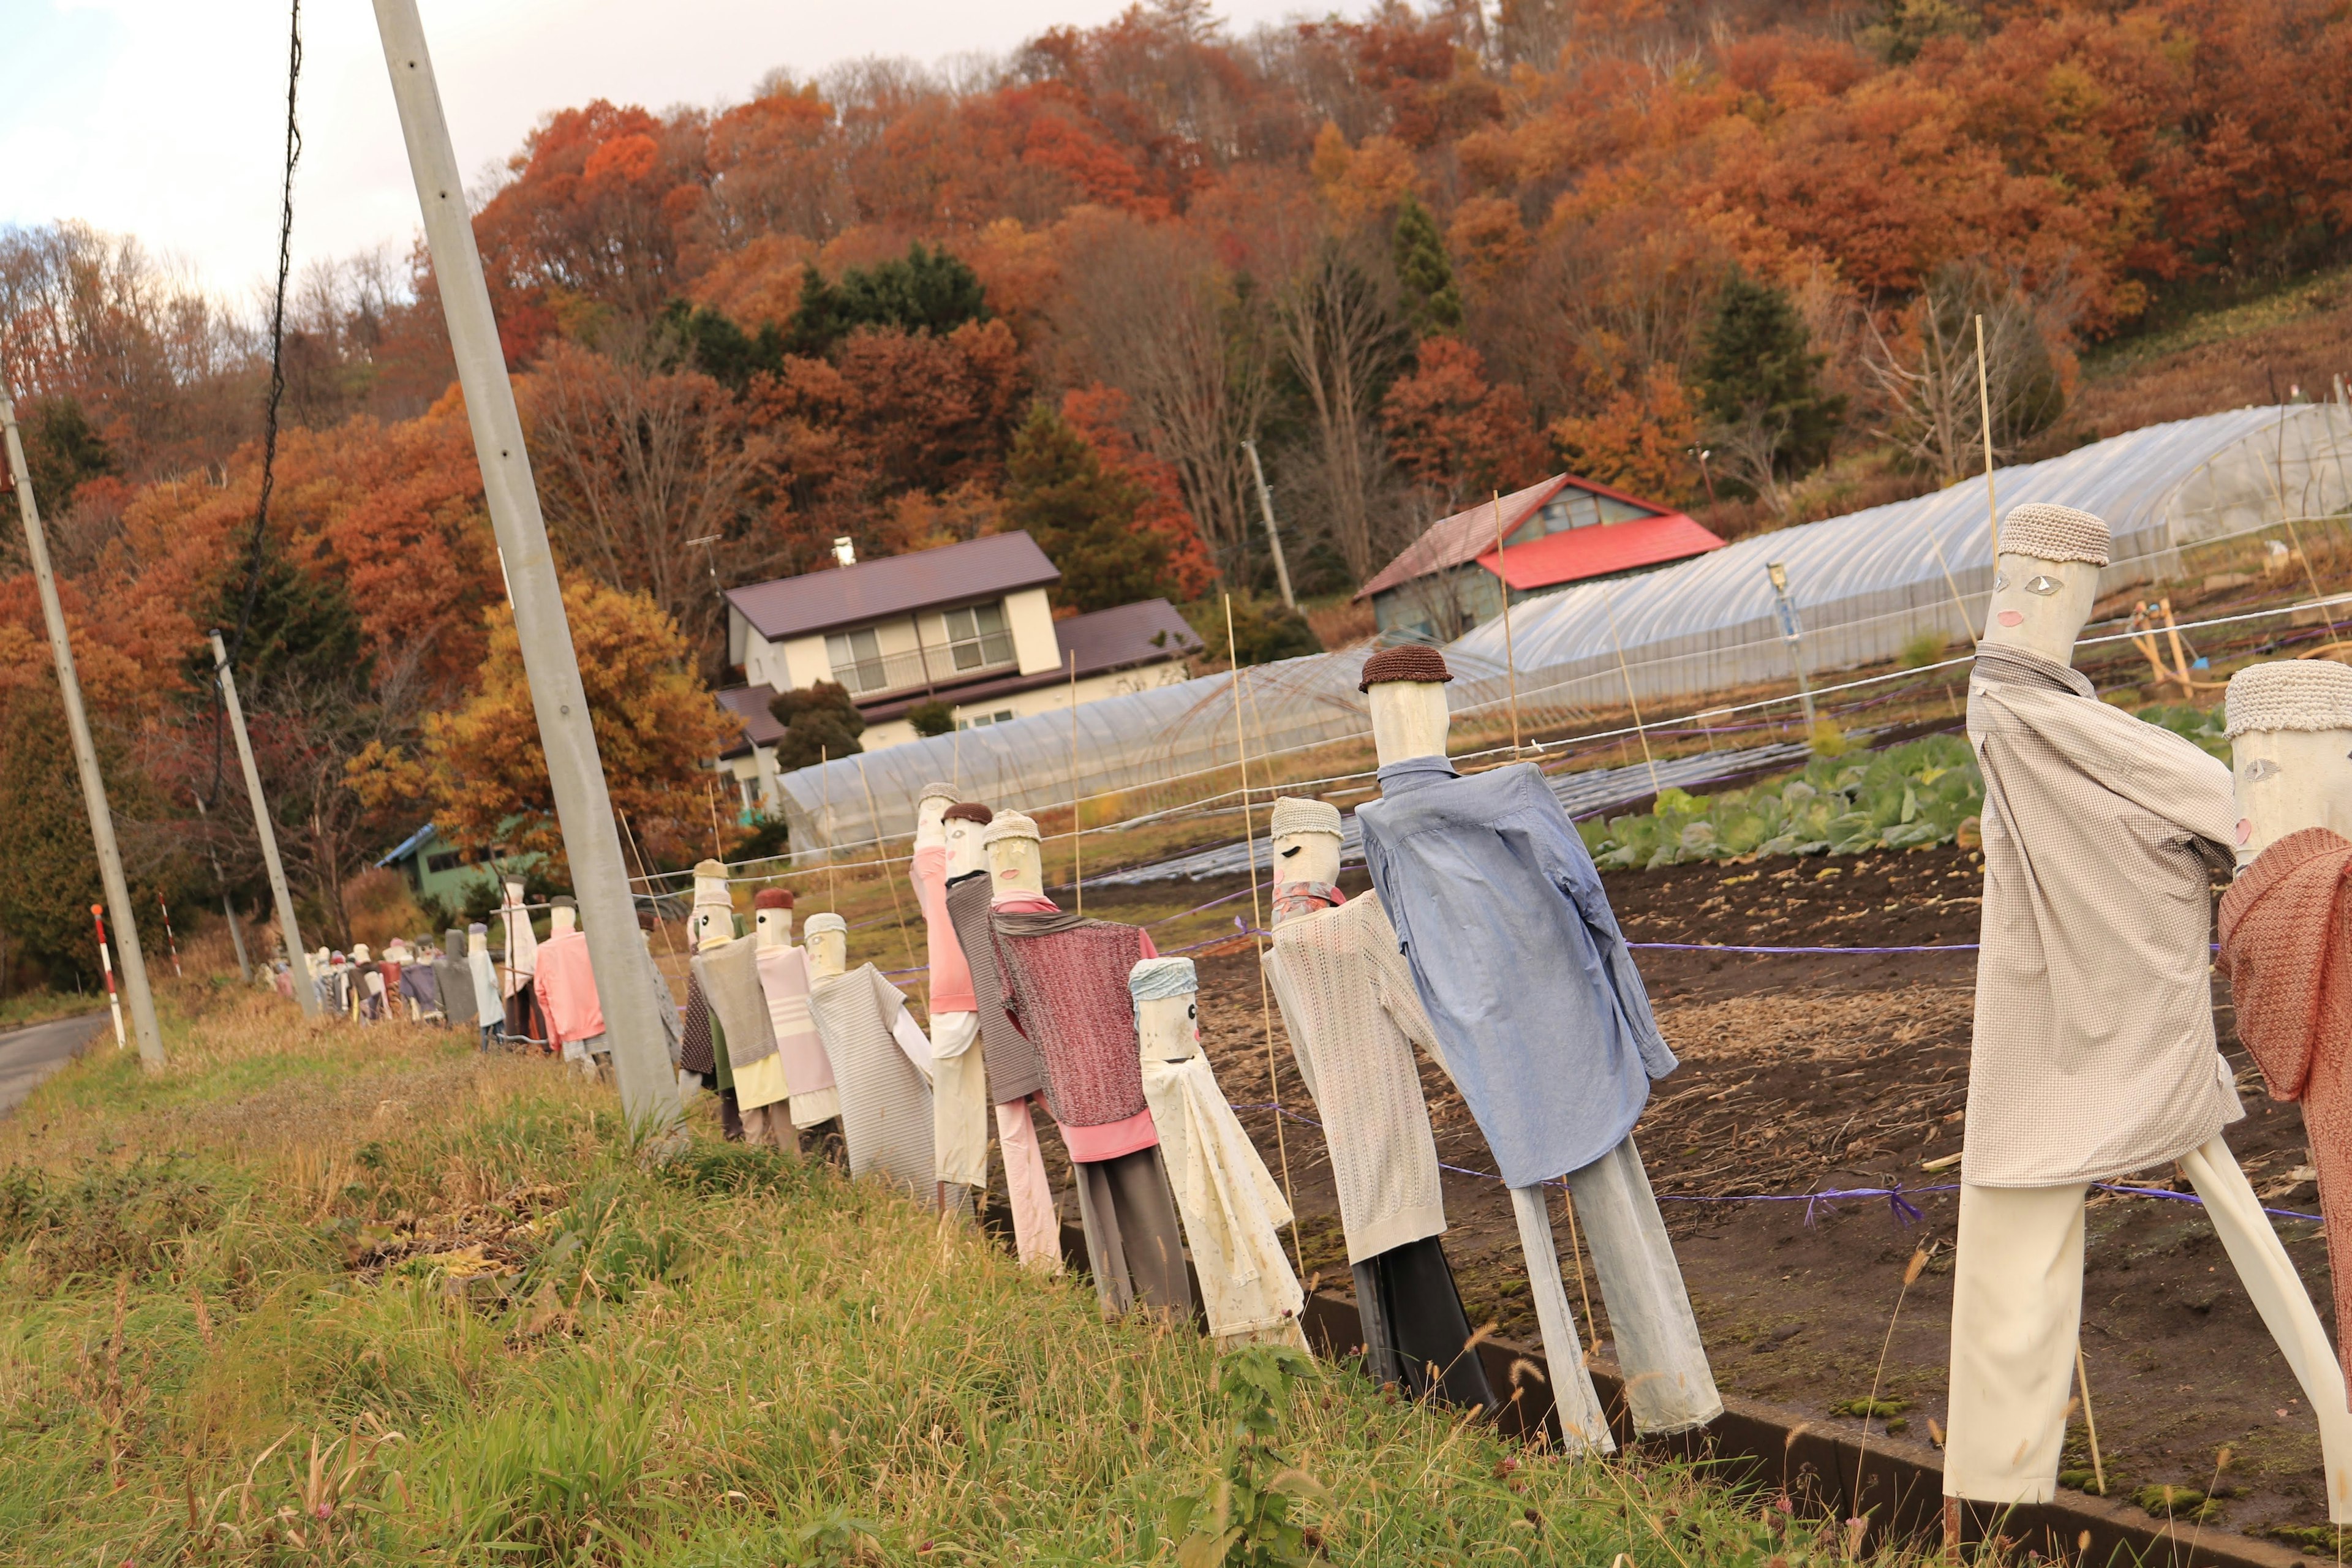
[1488, 944]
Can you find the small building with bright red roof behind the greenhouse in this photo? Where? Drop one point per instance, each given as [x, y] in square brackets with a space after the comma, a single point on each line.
[1553, 535]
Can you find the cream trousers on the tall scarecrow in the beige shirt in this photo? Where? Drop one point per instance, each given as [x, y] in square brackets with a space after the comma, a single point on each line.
[2017, 1318]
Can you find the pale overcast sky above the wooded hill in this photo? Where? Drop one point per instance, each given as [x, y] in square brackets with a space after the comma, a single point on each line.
[166, 119]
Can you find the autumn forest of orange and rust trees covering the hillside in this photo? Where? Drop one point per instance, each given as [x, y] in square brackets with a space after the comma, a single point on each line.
[1720, 255]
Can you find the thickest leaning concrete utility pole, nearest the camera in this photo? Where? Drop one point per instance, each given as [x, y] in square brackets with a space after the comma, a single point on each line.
[624, 974]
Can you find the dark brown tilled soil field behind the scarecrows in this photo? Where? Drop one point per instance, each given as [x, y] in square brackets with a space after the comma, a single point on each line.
[1822, 1073]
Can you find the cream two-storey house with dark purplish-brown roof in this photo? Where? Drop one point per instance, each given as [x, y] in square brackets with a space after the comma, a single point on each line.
[968, 626]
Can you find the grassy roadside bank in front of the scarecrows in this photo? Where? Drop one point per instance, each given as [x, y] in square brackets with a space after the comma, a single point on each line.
[361, 1296]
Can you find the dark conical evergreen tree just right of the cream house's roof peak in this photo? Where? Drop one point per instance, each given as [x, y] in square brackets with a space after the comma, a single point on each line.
[1083, 516]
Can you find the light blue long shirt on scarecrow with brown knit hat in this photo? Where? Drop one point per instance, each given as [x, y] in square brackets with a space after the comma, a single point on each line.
[1518, 960]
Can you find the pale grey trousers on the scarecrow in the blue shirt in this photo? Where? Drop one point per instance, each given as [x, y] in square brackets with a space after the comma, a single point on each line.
[1669, 1383]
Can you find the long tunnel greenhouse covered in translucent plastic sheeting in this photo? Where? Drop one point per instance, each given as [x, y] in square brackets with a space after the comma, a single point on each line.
[1864, 587]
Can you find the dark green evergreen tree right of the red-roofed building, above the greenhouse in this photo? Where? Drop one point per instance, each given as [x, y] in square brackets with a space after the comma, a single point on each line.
[1758, 375]
